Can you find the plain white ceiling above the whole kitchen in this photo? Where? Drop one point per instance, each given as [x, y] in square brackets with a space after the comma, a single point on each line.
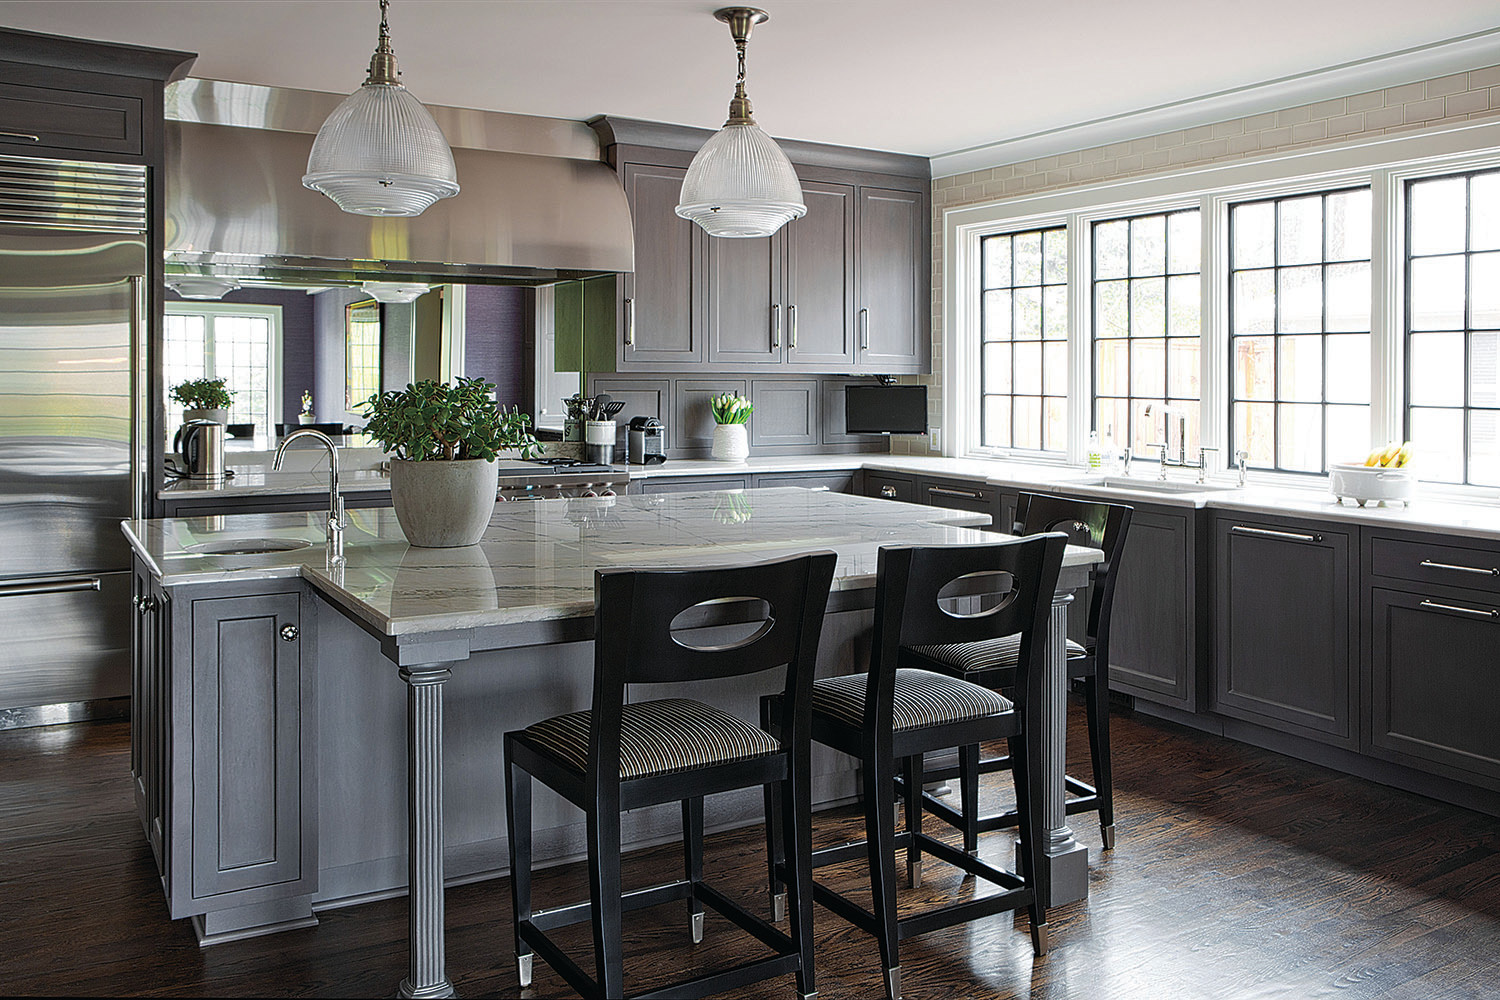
[925, 77]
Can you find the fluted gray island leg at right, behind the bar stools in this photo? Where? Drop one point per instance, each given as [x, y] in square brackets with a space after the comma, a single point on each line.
[1067, 860]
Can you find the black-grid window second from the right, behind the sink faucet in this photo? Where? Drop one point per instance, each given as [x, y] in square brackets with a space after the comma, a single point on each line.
[1300, 331]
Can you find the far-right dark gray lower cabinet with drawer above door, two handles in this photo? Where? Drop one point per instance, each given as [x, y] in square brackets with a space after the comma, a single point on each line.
[1433, 606]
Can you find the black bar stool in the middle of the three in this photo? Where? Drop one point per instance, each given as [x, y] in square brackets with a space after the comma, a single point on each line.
[890, 716]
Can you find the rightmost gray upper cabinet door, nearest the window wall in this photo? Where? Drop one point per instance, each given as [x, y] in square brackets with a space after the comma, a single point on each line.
[893, 281]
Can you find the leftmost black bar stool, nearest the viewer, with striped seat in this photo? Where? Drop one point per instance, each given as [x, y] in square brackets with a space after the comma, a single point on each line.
[673, 626]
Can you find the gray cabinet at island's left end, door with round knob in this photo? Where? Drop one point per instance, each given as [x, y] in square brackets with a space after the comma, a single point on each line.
[224, 743]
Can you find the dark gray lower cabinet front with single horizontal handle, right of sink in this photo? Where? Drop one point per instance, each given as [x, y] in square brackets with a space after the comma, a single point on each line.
[1285, 648]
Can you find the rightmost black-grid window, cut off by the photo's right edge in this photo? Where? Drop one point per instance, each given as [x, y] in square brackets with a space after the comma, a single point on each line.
[1453, 328]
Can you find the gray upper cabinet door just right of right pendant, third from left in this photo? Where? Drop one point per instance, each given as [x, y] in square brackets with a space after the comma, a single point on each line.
[820, 280]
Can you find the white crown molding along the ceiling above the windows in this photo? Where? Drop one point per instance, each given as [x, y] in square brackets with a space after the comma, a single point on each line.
[1393, 70]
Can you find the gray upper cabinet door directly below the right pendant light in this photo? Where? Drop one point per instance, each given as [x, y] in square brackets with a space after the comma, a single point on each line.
[746, 316]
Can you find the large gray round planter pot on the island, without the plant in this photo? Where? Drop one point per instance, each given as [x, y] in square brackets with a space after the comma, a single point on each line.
[443, 504]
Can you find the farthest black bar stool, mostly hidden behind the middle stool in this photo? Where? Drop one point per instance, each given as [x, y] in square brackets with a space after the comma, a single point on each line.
[992, 663]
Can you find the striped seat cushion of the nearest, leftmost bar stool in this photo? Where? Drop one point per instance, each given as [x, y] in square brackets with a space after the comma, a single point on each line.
[658, 738]
